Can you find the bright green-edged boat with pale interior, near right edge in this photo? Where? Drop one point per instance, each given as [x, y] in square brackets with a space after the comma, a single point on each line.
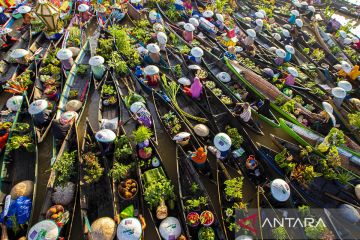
[307, 137]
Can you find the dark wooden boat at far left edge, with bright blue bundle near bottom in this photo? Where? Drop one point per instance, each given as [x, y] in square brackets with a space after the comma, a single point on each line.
[20, 166]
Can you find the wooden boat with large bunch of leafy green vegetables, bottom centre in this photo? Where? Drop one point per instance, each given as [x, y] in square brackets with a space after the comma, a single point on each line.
[151, 175]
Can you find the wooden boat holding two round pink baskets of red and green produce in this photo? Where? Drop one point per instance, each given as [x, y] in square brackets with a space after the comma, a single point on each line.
[187, 179]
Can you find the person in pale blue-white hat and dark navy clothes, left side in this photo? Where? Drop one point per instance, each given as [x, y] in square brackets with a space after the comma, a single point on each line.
[40, 112]
